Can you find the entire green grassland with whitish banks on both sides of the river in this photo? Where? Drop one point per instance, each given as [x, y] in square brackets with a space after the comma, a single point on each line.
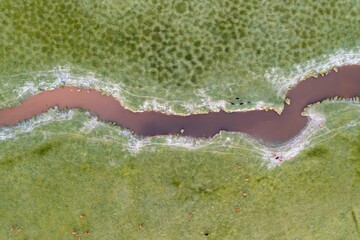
[67, 175]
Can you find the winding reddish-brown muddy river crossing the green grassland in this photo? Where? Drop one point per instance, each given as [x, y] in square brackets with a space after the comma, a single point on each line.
[268, 126]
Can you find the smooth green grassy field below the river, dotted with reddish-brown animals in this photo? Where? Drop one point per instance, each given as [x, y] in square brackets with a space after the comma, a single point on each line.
[60, 179]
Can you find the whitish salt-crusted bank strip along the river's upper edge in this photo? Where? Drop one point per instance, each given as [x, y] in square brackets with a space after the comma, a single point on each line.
[18, 87]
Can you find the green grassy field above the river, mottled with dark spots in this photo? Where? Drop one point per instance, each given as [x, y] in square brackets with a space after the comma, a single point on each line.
[174, 51]
